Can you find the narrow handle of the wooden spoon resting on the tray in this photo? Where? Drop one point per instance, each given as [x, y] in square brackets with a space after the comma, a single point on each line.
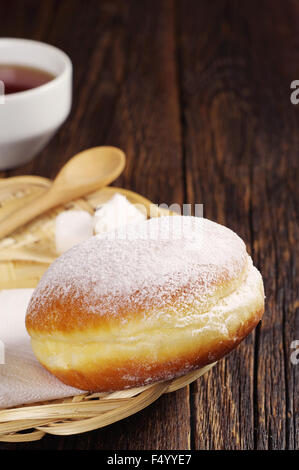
[20, 217]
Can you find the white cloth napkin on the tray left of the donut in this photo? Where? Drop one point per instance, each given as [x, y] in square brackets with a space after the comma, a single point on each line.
[22, 378]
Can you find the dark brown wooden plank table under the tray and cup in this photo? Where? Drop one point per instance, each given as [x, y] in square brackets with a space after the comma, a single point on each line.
[197, 93]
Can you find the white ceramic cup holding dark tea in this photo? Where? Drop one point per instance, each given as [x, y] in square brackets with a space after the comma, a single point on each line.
[29, 119]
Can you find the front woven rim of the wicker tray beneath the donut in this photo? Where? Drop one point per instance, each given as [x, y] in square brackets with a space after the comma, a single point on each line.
[83, 412]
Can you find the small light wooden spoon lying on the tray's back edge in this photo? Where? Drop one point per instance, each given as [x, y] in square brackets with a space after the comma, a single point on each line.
[84, 173]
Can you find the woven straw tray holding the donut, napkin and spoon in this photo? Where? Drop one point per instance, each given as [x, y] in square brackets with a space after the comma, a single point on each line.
[24, 257]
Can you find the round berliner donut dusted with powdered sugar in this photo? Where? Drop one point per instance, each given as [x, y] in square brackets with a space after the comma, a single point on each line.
[145, 303]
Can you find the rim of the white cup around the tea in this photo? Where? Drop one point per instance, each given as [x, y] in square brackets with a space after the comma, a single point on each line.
[67, 68]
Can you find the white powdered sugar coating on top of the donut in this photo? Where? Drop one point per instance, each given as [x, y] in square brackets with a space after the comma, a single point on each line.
[147, 264]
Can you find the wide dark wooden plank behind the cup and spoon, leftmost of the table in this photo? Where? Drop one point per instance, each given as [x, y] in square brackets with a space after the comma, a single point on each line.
[125, 94]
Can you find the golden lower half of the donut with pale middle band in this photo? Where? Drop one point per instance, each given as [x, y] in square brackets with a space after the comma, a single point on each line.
[99, 360]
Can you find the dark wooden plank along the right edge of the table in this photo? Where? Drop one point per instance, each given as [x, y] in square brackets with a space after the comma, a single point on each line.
[275, 215]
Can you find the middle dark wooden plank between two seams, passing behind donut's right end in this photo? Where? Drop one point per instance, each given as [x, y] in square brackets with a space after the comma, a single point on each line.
[217, 135]
